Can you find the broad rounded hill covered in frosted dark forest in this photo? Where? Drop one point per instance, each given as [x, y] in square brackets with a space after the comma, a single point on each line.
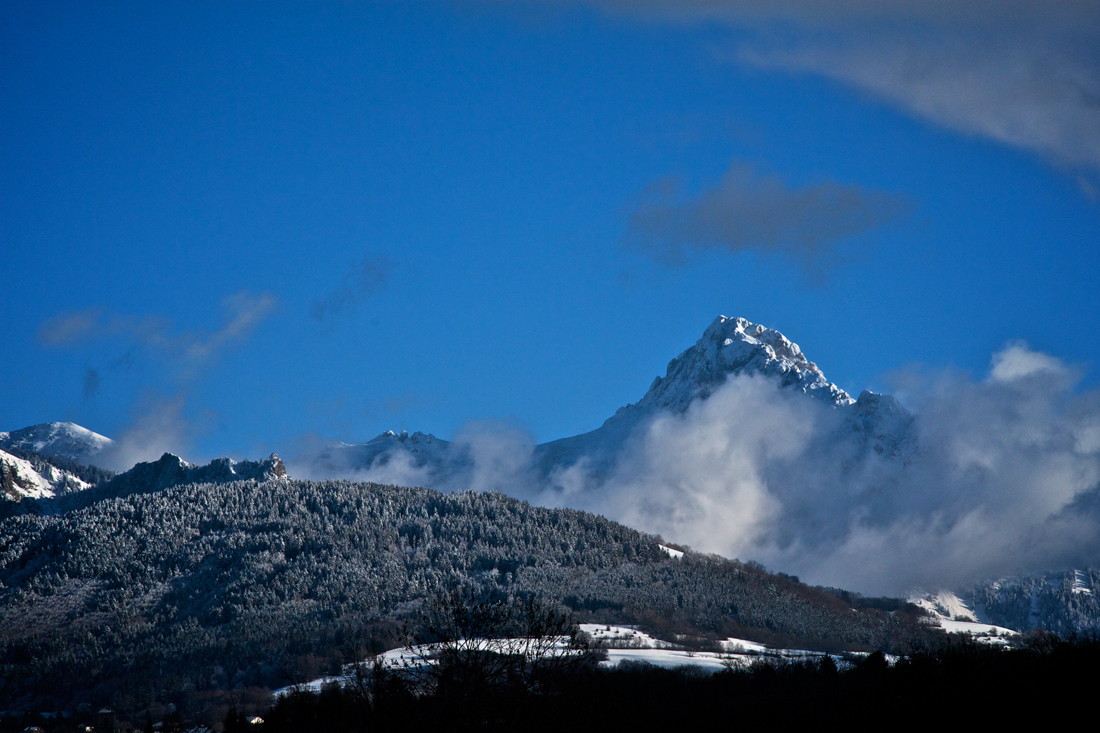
[157, 598]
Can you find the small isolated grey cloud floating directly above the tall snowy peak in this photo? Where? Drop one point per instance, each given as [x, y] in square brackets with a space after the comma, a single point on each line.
[750, 212]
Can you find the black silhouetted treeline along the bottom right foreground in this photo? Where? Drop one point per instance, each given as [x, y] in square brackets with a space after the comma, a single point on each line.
[955, 684]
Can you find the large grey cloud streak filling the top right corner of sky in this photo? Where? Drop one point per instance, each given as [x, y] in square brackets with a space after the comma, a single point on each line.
[1025, 73]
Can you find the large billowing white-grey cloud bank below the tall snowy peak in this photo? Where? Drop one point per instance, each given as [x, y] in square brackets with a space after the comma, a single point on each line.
[989, 478]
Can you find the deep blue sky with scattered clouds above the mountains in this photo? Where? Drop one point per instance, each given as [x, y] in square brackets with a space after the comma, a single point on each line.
[246, 224]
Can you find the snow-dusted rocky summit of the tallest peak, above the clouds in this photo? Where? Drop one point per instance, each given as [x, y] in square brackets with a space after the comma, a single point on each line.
[738, 346]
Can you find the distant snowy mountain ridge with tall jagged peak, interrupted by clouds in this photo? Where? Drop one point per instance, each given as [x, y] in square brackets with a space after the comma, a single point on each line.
[729, 347]
